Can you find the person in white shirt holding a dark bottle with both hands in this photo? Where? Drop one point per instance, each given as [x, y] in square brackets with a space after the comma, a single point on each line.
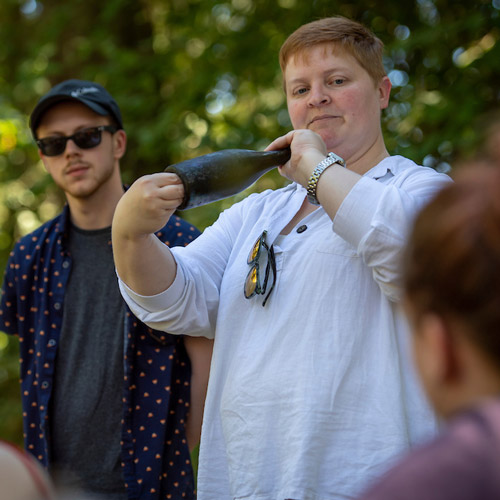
[311, 390]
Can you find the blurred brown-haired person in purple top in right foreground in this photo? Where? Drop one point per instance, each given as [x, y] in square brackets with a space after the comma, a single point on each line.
[452, 288]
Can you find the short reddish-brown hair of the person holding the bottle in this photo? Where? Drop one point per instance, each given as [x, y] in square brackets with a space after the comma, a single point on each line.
[340, 32]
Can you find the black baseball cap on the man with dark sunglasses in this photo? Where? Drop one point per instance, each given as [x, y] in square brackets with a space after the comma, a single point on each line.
[93, 95]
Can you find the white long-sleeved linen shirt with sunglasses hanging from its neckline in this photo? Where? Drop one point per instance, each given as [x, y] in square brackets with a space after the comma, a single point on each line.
[313, 395]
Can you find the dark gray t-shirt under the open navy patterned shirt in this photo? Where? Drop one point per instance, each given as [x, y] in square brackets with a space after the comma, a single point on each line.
[86, 407]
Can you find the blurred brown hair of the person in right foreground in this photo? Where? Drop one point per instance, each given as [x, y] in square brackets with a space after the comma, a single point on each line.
[452, 264]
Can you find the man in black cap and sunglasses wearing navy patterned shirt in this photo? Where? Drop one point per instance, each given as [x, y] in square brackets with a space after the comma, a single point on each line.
[105, 398]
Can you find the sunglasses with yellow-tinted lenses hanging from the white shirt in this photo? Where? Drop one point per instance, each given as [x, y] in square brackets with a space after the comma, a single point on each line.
[253, 284]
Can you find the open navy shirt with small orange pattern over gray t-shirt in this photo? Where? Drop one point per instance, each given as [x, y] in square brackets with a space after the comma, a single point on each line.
[155, 456]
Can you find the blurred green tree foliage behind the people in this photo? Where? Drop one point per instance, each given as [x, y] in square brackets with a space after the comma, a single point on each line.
[196, 76]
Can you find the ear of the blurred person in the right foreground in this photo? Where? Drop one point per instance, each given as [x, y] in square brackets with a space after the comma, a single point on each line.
[440, 349]
